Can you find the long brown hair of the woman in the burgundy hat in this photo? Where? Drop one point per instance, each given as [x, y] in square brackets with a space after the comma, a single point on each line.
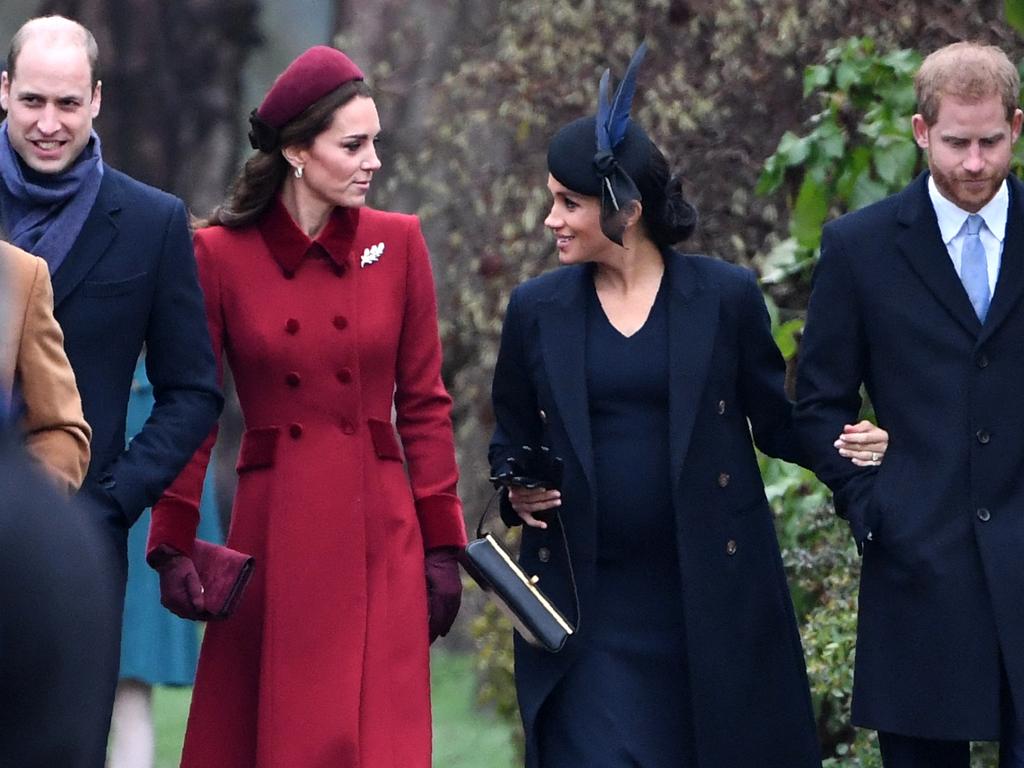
[264, 174]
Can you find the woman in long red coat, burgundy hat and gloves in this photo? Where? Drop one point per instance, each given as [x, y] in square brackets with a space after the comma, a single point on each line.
[326, 312]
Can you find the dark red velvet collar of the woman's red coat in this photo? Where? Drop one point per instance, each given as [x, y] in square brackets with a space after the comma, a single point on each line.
[290, 246]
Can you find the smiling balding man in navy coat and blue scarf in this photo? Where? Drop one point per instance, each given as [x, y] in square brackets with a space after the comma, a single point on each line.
[124, 276]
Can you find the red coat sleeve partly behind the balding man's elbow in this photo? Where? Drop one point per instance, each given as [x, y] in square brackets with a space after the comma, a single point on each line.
[176, 517]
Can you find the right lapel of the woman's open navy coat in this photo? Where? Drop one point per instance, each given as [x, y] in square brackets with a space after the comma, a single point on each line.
[693, 325]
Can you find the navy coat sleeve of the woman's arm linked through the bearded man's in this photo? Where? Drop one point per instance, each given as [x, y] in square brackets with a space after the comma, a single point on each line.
[762, 382]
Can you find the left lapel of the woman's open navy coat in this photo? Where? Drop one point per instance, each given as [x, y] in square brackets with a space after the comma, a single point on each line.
[564, 344]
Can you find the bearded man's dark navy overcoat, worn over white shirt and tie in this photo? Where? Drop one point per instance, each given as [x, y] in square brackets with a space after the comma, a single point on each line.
[943, 585]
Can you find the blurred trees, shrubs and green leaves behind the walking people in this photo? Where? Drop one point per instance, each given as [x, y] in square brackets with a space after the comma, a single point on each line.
[780, 114]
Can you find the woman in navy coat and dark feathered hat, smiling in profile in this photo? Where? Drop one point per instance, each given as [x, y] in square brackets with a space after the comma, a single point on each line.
[652, 374]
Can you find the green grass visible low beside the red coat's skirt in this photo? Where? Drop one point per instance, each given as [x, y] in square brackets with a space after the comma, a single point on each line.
[464, 735]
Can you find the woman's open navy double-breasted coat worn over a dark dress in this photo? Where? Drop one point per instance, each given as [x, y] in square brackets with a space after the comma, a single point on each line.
[749, 682]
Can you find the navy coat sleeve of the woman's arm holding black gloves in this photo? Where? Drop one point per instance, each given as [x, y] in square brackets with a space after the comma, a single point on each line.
[514, 399]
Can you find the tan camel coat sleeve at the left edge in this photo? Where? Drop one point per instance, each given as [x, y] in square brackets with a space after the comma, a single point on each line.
[54, 425]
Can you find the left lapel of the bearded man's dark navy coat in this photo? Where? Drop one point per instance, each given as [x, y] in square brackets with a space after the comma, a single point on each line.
[922, 245]
